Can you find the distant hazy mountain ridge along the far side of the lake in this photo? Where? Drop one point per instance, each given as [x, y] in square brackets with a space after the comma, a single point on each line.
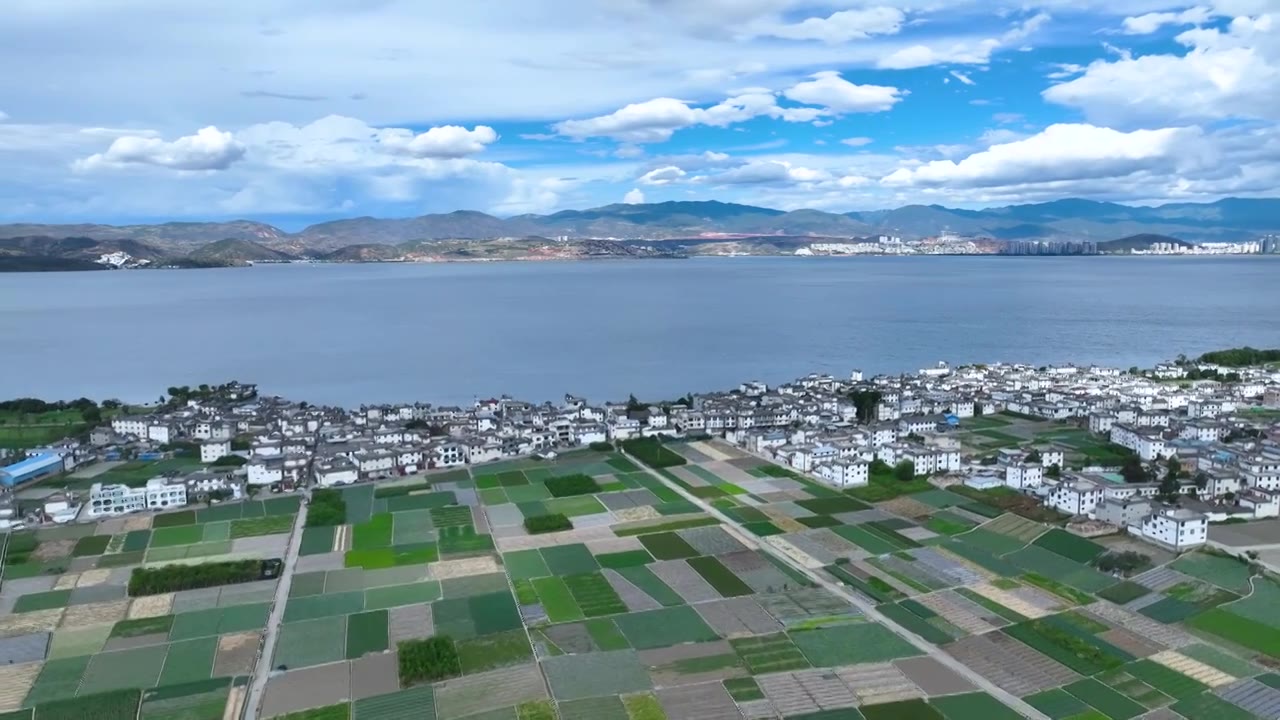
[1229, 220]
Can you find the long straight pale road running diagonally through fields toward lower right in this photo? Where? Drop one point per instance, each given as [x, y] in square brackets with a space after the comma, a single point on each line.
[867, 608]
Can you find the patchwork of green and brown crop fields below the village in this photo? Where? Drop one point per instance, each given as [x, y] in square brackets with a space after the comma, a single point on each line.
[442, 600]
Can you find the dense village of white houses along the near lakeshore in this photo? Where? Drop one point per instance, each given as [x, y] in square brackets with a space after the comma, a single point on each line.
[945, 422]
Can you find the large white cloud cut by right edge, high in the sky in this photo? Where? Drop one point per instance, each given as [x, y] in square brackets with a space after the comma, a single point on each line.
[1223, 75]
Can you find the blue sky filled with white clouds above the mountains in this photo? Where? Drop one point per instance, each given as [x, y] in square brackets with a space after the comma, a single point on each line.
[295, 112]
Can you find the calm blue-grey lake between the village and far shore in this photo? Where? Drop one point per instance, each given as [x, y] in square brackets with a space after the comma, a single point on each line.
[447, 334]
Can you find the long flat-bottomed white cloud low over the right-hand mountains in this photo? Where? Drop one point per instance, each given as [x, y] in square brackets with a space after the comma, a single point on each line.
[1060, 153]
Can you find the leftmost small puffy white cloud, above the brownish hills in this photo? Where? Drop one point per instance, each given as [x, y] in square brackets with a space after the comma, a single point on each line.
[211, 149]
